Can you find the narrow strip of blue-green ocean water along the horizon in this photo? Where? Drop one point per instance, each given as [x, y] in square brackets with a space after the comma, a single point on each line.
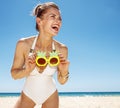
[81, 94]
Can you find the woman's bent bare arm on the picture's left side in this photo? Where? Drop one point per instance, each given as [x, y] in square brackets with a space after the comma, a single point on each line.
[21, 64]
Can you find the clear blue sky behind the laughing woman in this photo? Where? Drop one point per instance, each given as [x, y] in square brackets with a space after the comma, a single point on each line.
[91, 31]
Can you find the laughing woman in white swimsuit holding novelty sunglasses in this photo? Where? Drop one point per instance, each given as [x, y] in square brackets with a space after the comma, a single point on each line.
[39, 86]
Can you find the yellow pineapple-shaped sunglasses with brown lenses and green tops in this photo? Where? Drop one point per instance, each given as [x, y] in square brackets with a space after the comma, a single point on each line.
[42, 60]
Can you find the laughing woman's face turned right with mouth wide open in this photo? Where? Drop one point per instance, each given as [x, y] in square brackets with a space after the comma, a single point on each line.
[51, 22]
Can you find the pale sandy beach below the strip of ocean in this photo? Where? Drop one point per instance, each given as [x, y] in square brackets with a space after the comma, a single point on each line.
[73, 102]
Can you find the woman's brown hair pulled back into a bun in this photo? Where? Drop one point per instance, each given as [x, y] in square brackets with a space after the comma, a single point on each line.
[41, 9]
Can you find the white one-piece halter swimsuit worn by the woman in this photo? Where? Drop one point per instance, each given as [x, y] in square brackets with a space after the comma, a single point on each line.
[40, 86]
